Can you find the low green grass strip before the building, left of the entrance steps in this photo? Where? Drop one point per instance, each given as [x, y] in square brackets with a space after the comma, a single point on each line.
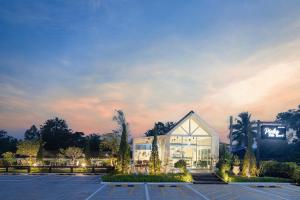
[147, 178]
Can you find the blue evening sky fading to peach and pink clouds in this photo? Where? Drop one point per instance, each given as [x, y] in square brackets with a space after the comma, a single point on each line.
[156, 60]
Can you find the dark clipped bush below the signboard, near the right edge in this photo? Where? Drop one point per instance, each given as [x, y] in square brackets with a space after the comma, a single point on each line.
[277, 169]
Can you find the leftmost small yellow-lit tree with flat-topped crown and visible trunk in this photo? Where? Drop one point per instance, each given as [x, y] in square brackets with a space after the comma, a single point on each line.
[28, 148]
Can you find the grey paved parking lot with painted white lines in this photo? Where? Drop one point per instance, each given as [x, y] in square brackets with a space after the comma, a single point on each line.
[90, 187]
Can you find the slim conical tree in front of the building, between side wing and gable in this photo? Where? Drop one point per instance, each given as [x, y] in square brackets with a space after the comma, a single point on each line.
[154, 162]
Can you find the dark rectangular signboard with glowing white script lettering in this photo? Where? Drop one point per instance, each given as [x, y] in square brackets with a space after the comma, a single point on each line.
[273, 132]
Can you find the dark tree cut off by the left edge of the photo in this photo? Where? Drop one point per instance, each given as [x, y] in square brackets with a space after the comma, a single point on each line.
[7, 143]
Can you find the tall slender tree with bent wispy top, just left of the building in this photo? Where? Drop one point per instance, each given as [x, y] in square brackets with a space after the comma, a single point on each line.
[124, 150]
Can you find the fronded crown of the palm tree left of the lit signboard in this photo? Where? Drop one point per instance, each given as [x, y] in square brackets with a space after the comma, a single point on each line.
[243, 131]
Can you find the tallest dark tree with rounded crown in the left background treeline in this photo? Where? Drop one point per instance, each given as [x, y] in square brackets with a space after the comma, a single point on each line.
[55, 134]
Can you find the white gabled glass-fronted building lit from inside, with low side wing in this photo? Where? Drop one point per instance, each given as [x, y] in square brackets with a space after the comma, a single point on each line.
[191, 139]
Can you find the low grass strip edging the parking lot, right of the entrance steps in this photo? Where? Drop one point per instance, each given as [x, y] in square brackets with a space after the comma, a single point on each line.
[259, 179]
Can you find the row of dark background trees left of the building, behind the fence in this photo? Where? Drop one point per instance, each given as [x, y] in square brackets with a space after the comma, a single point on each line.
[55, 135]
